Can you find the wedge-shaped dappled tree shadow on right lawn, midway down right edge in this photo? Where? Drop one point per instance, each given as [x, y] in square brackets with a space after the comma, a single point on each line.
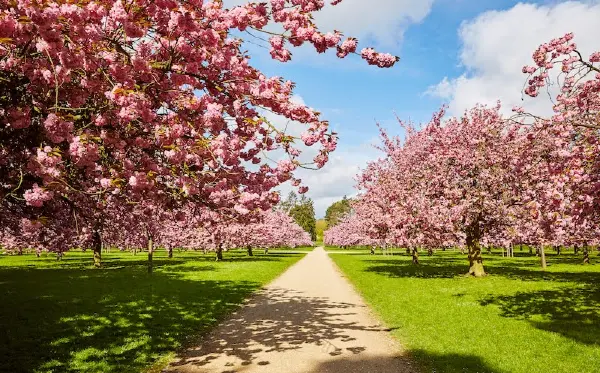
[571, 312]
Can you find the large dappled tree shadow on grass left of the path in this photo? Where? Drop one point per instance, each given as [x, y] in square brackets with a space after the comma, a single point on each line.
[78, 320]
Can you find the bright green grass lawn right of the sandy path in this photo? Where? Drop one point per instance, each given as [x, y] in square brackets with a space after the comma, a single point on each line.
[517, 319]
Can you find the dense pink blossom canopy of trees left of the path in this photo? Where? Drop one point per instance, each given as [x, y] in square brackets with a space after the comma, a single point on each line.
[123, 114]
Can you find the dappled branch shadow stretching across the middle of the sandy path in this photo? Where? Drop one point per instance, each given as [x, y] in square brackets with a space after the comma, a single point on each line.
[276, 321]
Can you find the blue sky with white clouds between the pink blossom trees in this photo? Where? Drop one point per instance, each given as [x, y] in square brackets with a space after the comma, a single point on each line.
[456, 52]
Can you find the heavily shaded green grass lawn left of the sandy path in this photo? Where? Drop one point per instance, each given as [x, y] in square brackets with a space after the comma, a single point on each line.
[65, 316]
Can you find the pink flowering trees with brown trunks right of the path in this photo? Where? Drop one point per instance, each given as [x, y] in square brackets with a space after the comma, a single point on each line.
[485, 179]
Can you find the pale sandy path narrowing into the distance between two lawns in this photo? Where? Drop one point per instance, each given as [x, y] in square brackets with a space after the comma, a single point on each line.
[308, 320]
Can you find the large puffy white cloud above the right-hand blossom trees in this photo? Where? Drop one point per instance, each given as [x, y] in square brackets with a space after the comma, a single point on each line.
[497, 44]
